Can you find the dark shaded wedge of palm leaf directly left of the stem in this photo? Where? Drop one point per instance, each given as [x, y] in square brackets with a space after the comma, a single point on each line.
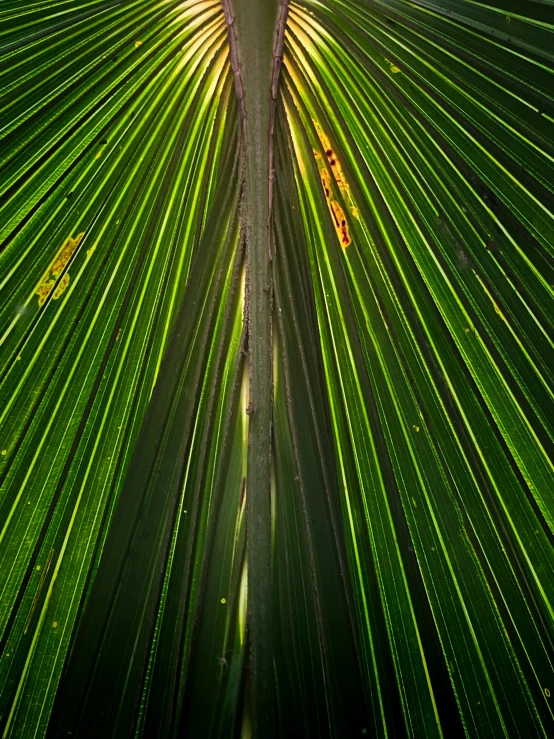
[167, 507]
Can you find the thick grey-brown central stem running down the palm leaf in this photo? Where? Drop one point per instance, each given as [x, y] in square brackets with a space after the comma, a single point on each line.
[256, 30]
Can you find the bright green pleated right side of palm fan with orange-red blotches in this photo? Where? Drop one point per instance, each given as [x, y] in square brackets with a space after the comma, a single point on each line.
[405, 328]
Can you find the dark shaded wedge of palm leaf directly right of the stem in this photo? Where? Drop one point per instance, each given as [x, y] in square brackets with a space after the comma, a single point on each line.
[319, 672]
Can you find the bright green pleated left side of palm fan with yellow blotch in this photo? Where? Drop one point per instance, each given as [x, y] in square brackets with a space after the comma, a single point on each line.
[85, 364]
